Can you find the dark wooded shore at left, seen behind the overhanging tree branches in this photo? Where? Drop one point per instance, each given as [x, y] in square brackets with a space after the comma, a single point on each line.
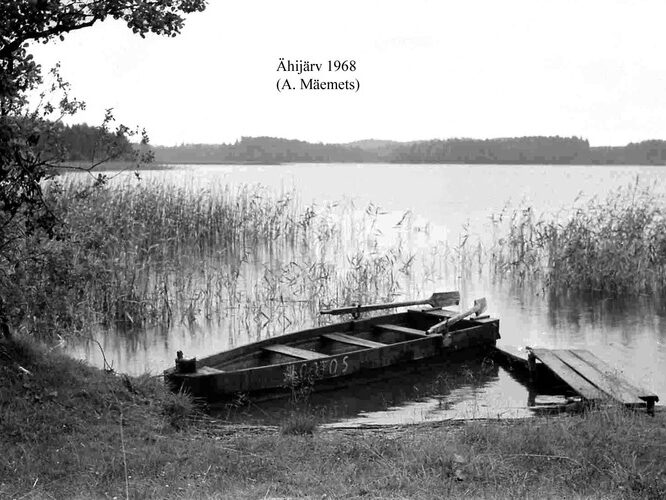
[83, 142]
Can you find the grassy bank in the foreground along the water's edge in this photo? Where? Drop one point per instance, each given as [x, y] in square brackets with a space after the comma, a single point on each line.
[69, 431]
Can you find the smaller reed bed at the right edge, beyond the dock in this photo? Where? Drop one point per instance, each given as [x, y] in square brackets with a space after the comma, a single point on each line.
[613, 245]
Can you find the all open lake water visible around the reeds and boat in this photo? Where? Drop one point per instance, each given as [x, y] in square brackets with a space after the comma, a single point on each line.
[448, 200]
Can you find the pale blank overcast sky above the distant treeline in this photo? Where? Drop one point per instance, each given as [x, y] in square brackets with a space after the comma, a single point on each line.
[427, 69]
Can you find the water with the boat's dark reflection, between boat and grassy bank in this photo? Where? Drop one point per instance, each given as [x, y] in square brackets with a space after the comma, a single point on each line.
[431, 390]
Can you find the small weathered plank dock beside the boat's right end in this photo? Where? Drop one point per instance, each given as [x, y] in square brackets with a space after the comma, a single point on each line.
[592, 378]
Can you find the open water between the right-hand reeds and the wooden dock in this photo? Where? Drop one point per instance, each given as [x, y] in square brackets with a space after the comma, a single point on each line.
[628, 333]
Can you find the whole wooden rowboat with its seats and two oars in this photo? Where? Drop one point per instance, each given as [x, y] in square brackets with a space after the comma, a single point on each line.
[339, 350]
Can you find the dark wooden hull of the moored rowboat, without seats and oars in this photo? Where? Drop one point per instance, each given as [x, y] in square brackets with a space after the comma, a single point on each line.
[213, 384]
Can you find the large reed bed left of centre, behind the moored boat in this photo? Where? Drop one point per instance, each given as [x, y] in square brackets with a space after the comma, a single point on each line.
[147, 253]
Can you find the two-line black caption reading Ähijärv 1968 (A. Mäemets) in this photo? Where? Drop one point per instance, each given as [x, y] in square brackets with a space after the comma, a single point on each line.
[295, 75]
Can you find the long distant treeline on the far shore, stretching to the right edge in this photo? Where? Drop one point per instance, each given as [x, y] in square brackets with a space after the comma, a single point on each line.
[525, 150]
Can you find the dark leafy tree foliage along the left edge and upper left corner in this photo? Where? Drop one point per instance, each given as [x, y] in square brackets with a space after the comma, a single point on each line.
[32, 145]
